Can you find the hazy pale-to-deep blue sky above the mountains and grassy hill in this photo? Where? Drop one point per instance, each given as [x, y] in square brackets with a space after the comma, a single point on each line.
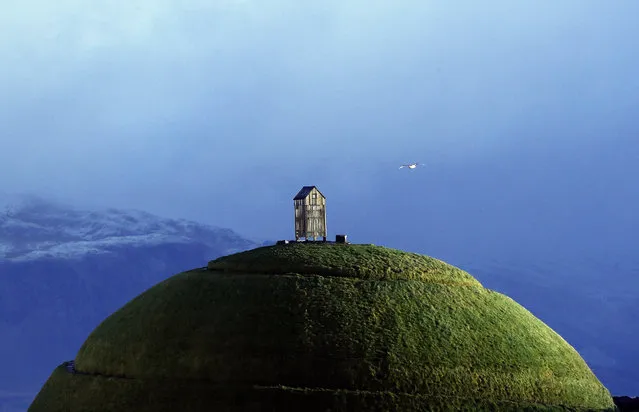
[525, 114]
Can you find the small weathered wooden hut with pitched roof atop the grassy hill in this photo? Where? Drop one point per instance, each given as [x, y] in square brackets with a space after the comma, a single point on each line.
[310, 214]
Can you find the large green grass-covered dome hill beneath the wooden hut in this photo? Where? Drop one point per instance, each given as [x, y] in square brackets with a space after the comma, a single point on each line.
[317, 327]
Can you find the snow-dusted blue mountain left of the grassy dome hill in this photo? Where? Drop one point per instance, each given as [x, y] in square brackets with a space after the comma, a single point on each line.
[63, 270]
